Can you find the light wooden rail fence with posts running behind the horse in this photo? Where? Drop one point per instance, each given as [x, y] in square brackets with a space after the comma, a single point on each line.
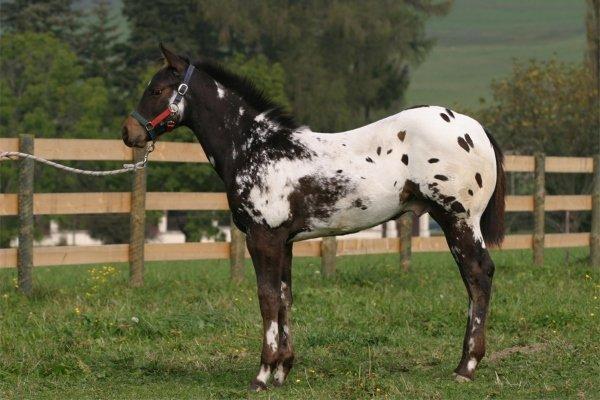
[26, 204]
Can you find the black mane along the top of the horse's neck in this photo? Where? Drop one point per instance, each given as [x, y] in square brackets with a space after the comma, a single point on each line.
[244, 87]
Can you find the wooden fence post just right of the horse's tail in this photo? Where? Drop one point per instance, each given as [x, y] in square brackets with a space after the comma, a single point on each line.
[539, 209]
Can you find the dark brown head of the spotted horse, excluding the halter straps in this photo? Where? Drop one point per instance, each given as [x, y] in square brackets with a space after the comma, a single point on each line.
[155, 100]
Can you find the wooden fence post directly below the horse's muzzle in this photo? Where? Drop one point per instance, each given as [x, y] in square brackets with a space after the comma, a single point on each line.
[137, 228]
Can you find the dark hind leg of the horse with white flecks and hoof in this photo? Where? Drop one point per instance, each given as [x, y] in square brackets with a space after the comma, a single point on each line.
[477, 270]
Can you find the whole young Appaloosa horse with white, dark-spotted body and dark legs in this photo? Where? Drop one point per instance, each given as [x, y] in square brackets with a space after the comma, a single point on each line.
[286, 183]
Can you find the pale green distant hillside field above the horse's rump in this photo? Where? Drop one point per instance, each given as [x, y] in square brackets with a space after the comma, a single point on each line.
[479, 39]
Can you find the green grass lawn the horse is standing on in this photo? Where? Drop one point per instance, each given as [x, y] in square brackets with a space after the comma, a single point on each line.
[373, 331]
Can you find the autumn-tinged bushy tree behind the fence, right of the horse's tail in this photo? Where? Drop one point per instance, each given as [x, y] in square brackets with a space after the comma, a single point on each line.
[547, 107]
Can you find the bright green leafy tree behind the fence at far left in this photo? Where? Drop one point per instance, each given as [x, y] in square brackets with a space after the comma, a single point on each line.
[43, 91]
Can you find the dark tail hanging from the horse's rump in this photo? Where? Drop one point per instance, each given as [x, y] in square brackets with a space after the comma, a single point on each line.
[492, 220]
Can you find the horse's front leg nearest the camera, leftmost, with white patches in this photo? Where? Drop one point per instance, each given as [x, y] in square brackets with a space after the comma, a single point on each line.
[268, 252]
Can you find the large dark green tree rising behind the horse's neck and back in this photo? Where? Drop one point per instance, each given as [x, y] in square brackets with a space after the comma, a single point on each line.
[345, 62]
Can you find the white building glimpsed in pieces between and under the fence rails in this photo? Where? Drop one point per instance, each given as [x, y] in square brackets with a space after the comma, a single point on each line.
[66, 237]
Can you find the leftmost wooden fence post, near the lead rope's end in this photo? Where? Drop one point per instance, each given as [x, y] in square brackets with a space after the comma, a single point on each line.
[25, 198]
